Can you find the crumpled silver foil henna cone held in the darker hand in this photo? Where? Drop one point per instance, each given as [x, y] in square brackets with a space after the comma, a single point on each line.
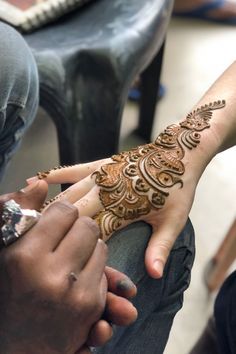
[16, 221]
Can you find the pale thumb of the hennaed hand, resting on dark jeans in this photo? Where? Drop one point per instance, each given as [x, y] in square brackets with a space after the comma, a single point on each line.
[159, 247]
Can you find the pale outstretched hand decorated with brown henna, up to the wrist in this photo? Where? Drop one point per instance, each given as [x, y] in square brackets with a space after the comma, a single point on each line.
[155, 183]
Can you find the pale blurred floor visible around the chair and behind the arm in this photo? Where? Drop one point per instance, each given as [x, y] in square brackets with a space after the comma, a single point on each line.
[196, 54]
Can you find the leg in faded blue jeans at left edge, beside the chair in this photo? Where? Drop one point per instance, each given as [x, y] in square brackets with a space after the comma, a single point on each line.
[18, 91]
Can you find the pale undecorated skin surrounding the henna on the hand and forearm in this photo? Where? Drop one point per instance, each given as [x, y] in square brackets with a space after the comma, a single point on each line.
[167, 221]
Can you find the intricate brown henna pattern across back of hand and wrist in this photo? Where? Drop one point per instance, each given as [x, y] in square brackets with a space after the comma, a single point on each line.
[137, 180]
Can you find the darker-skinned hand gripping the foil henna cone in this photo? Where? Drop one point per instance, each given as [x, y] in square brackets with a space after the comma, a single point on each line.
[42, 310]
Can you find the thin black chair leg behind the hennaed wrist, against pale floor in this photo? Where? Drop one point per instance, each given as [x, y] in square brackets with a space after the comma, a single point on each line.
[150, 81]
